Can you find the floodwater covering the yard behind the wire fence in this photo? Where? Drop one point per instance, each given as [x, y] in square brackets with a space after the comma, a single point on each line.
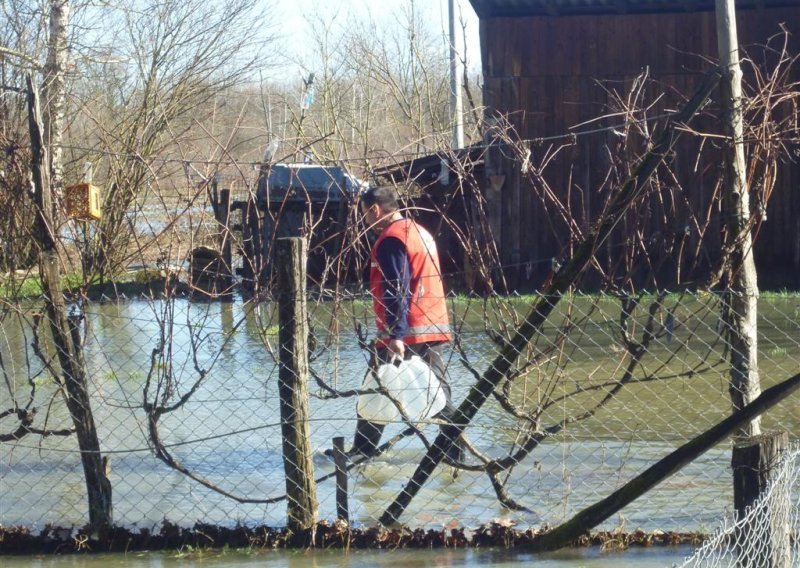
[227, 432]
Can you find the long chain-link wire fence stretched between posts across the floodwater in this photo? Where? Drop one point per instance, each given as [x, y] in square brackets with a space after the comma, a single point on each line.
[185, 397]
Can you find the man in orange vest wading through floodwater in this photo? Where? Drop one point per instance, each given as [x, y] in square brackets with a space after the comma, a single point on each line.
[408, 300]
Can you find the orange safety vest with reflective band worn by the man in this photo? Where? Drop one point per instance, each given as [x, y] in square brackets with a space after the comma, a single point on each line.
[427, 311]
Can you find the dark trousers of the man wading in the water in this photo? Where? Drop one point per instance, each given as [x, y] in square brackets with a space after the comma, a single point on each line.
[368, 434]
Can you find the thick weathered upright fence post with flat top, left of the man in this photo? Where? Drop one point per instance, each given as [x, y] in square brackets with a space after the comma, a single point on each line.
[301, 491]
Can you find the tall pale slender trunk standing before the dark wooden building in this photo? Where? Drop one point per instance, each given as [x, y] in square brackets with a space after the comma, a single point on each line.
[742, 302]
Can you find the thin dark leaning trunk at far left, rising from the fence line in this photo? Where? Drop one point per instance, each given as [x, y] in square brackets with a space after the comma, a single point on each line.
[64, 329]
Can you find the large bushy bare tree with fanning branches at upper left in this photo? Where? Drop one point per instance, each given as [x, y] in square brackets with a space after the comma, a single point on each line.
[172, 60]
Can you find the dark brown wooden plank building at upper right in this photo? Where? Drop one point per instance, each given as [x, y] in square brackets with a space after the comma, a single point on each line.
[553, 66]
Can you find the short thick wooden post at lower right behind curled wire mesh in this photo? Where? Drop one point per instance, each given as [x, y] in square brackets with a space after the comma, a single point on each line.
[753, 460]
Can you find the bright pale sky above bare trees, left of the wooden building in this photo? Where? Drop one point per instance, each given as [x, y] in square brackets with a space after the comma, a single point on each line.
[294, 14]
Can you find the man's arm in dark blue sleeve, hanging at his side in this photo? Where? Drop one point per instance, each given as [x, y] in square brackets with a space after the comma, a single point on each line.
[396, 272]
